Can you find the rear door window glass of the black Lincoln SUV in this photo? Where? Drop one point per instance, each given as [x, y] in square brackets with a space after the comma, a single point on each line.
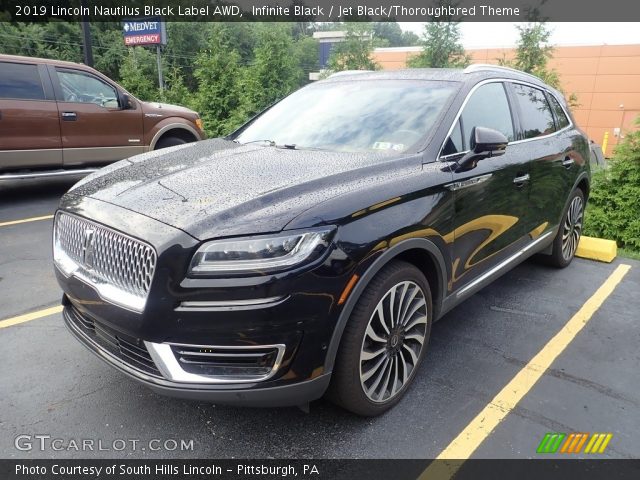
[536, 118]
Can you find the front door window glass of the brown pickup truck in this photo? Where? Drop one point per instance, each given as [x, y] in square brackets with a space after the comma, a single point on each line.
[84, 88]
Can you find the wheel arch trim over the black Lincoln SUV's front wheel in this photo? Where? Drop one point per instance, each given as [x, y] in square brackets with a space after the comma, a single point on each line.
[422, 253]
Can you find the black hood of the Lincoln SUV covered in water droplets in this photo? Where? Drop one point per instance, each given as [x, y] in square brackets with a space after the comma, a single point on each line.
[218, 188]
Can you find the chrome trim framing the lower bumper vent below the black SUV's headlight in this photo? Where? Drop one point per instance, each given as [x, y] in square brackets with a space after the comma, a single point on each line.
[166, 361]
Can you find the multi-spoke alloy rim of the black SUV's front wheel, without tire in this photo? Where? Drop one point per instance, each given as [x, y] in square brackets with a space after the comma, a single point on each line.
[393, 341]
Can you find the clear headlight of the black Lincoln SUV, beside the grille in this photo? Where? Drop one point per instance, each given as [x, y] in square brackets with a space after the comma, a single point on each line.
[260, 254]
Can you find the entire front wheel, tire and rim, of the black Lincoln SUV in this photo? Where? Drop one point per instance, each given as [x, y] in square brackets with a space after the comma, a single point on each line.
[364, 334]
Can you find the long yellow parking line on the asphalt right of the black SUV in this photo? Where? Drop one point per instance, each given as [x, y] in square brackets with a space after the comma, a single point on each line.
[461, 448]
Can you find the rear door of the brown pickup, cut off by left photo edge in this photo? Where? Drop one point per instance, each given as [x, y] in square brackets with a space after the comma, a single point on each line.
[29, 125]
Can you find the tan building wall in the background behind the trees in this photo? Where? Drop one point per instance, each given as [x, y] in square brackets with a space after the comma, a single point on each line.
[605, 78]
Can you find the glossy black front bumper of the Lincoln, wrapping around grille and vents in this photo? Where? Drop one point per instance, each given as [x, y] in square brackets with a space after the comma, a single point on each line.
[297, 310]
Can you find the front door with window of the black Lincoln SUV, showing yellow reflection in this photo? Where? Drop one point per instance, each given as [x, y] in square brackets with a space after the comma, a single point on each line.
[491, 199]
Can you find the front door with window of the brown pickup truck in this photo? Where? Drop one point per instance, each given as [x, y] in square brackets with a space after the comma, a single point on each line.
[95, 129]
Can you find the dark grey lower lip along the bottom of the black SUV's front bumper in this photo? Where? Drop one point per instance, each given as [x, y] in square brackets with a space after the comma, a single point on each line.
[242, 394]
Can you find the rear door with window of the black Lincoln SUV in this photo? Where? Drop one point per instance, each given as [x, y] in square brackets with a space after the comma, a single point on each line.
[544, 138]
